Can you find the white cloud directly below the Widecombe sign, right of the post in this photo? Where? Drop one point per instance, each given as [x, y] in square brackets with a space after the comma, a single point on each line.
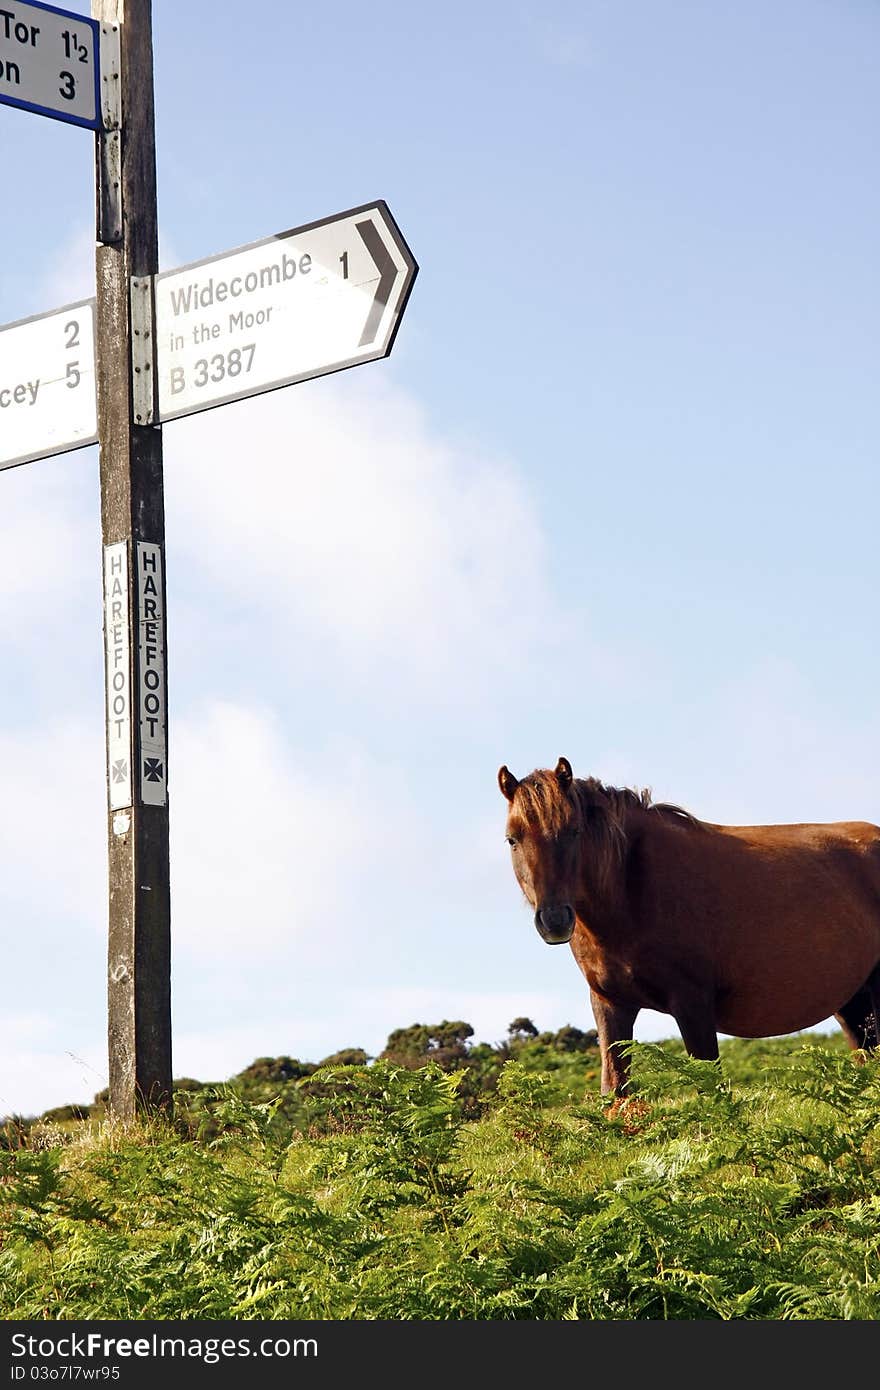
[347, 523]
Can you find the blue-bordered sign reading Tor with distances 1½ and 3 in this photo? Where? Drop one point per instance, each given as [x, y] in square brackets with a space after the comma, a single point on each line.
[49, 62]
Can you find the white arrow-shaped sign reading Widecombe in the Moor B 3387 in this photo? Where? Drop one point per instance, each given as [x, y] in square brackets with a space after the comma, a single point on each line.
[298, 305]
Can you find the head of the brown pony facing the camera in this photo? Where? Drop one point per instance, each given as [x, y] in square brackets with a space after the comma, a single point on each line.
[546, 831]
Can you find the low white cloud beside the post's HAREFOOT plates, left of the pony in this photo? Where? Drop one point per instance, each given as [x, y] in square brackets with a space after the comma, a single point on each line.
[262, 853]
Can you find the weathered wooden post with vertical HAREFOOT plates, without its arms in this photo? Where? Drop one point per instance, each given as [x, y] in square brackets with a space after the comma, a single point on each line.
[134, 534]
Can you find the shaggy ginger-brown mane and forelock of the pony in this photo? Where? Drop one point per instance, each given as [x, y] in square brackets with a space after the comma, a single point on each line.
[600, 812]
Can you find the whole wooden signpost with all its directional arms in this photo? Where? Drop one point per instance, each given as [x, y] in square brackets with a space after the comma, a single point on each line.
[112, 370]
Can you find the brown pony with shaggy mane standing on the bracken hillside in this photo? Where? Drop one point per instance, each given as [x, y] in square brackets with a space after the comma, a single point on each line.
[749, 931]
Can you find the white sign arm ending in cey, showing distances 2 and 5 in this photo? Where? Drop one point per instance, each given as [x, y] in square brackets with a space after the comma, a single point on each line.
[48, 400]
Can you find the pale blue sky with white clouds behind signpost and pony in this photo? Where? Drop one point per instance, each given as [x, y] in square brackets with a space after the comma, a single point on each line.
[612, 497]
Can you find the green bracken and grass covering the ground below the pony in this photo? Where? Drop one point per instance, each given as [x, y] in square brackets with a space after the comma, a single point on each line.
[751, 1195]
